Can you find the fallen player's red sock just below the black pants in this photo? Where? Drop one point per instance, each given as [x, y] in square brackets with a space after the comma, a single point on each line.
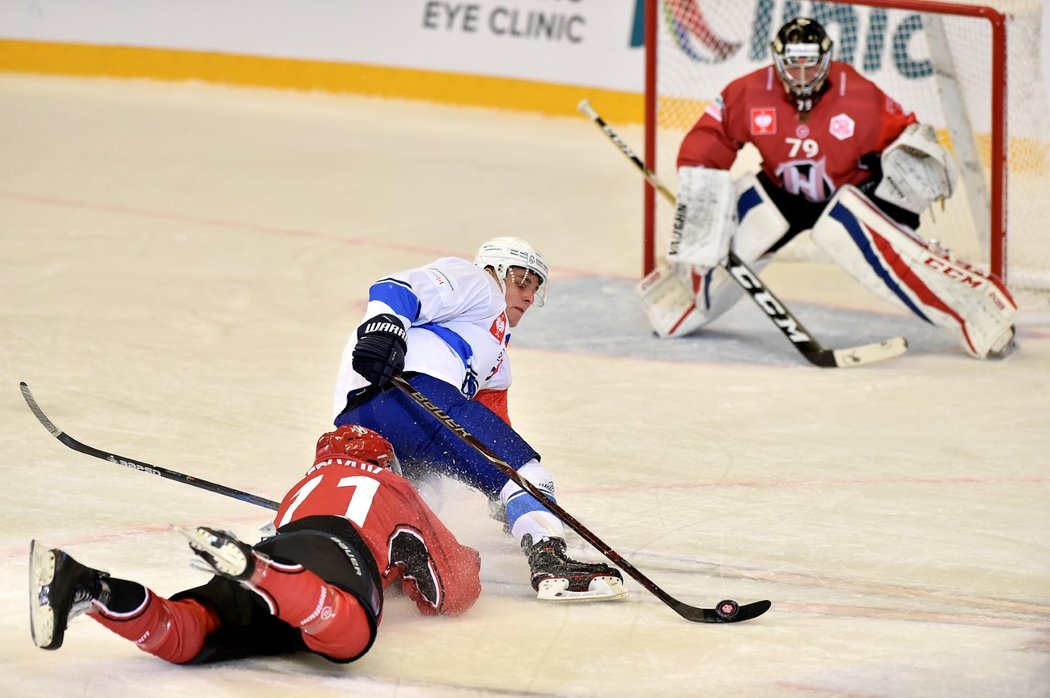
[332, 621]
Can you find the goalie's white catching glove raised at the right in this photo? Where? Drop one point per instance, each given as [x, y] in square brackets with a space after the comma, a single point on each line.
[917, 171]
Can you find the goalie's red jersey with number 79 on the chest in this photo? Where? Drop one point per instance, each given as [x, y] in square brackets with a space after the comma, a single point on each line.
[811, 154]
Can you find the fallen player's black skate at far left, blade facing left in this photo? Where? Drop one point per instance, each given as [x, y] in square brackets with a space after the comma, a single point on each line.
[60, 590]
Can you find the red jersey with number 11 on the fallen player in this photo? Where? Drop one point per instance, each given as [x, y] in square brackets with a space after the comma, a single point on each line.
[388, 513]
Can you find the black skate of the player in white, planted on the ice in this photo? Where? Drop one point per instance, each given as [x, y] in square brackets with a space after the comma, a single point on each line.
[559, 578]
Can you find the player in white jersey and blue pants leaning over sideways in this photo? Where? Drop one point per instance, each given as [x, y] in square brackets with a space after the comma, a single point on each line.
[446, 328]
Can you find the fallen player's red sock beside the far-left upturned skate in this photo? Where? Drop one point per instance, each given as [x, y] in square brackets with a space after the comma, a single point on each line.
[174, 631]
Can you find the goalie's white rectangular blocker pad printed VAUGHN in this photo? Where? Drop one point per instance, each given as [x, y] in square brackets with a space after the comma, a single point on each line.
[705, 218]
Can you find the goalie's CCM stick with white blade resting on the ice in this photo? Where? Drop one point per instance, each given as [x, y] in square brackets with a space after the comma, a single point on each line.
[814, 352]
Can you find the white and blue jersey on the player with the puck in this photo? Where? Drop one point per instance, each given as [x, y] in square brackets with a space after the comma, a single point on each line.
[457, 328]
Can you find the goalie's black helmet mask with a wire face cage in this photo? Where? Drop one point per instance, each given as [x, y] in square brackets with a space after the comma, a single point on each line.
[803, 58]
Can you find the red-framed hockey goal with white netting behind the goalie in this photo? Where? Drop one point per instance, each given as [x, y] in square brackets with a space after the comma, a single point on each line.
[946, 61]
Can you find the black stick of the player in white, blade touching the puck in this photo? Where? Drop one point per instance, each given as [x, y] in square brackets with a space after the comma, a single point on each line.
[727, 611]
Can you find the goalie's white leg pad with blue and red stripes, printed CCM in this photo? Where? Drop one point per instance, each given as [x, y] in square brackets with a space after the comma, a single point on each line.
[902, 269]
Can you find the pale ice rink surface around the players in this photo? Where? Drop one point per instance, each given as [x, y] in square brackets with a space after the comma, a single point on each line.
[182, 266]
